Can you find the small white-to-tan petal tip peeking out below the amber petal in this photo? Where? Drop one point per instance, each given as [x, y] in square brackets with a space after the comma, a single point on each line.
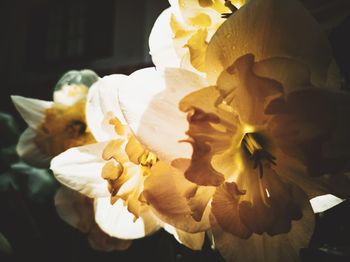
[193, 241]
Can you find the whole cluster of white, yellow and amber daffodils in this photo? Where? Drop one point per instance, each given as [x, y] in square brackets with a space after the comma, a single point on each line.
[239, 124]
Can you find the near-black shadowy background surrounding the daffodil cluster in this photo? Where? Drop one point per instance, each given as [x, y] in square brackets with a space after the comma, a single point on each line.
[42, 39]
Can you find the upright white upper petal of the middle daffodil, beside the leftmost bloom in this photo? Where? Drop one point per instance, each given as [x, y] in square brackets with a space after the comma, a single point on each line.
[101, 101]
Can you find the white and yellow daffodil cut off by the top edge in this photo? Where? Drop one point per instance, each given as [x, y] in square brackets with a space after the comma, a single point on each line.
[180, 35]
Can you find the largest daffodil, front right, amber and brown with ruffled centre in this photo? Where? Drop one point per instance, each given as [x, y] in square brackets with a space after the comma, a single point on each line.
[267, 119]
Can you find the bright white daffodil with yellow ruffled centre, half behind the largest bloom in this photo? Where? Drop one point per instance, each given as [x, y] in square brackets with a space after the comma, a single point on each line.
[113, 170]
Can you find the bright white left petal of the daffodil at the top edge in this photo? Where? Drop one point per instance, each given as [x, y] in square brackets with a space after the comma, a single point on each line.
[161, 44]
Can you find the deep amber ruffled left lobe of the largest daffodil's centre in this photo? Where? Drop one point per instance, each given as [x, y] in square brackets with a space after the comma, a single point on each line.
[211, 132]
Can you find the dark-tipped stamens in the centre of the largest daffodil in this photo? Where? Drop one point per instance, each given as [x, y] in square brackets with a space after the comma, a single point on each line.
[258, 154]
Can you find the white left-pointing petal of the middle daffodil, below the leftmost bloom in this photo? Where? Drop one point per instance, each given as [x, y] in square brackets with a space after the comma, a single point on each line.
[80, 168]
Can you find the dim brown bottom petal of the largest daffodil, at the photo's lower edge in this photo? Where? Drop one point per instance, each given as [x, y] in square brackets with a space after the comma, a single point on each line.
[264, 248]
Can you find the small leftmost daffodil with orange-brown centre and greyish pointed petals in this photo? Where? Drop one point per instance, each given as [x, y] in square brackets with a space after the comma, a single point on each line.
[55, 126]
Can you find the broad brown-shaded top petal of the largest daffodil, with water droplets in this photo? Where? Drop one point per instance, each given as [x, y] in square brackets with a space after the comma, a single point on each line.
[268, 23]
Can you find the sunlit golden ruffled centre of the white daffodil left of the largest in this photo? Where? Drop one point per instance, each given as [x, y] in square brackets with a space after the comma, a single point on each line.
[127, 162]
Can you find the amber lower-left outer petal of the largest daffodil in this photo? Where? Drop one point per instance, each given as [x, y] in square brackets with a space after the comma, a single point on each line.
[166, 190]
